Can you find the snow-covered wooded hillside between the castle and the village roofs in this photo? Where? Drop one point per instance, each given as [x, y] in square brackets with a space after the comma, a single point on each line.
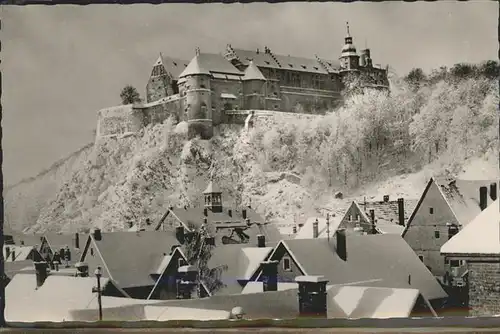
[286, 168]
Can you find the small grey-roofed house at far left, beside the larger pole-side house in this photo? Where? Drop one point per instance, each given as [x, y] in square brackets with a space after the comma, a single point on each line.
[55, 242]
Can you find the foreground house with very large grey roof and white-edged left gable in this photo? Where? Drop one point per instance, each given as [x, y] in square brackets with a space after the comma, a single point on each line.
[381, 260]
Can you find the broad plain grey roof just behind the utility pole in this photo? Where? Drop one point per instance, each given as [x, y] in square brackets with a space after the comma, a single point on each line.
[132, 257]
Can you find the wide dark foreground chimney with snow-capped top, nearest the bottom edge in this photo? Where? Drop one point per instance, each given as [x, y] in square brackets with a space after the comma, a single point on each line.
[312, 296]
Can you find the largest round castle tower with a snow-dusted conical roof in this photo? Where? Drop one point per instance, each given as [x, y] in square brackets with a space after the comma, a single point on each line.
[198, 102]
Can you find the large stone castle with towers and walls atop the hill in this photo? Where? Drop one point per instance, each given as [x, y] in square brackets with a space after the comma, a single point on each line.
[223, 88]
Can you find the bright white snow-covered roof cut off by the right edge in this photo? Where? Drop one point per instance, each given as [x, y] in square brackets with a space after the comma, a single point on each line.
[481, 236]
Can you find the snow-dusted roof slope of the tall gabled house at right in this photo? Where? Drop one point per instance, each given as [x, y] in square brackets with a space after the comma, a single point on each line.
[463, 197]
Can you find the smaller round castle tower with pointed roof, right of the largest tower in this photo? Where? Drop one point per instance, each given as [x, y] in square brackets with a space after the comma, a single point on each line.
[253, 87]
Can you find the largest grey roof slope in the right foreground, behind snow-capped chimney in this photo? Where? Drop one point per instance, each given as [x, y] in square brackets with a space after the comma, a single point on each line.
[369, 257]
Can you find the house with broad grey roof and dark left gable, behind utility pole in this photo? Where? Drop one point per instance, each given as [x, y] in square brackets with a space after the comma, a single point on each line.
[131, 261]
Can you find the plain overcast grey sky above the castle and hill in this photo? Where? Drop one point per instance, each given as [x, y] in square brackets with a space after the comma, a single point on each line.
[61, 64]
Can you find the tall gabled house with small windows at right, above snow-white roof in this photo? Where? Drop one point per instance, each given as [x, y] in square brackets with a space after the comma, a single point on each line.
[444, 207]
